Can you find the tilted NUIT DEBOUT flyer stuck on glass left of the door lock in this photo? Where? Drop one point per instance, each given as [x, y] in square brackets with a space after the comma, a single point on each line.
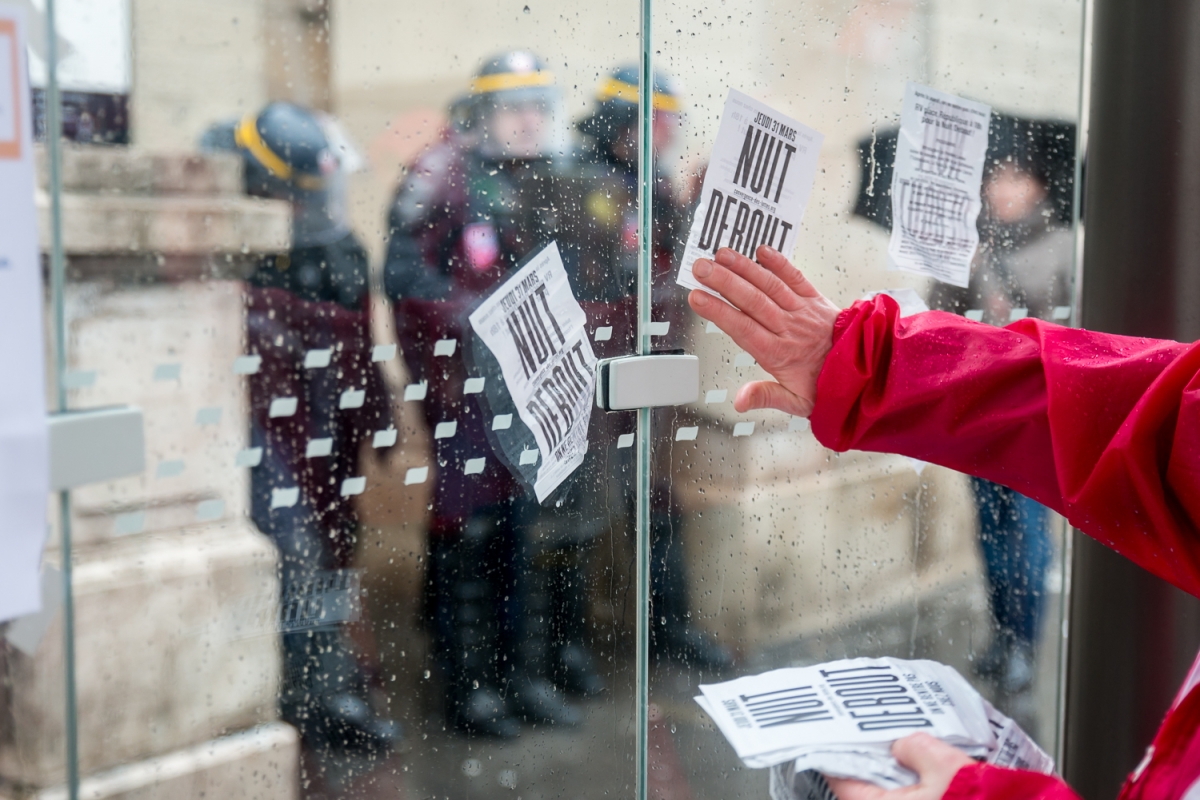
[537, 330]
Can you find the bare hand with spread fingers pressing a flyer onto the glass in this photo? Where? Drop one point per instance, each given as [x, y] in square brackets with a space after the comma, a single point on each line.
[779, 318]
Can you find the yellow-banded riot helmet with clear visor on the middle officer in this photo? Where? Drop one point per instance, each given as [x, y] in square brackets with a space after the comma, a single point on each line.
[514, 110]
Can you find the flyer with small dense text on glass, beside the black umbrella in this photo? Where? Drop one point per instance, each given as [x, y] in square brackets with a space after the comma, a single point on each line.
[935, 185]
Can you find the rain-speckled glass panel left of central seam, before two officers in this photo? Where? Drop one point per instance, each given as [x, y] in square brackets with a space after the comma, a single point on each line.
[334, 580]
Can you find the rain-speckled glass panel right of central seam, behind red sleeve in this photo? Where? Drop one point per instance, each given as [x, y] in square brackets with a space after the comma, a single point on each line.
[769, 550]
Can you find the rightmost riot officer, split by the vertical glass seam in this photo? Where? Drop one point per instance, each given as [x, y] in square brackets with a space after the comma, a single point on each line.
[608, 276]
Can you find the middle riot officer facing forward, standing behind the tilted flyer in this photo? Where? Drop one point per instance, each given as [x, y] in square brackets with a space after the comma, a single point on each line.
[466, 216]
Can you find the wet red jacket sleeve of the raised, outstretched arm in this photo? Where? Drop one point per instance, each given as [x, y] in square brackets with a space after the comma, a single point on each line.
[1103, 429]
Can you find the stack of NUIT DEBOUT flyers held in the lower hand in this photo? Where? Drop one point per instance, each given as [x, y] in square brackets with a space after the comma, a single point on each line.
[841, 719]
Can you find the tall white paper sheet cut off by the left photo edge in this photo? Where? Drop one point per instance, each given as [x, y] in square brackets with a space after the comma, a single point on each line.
[25, 456]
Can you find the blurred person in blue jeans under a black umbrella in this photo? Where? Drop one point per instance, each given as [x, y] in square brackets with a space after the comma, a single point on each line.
[1024, 268]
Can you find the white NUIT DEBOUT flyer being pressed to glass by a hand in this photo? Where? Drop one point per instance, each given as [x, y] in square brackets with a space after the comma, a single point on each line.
[758, 184]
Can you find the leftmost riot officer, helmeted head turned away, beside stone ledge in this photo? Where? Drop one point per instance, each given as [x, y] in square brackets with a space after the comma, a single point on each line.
[311, 299]
